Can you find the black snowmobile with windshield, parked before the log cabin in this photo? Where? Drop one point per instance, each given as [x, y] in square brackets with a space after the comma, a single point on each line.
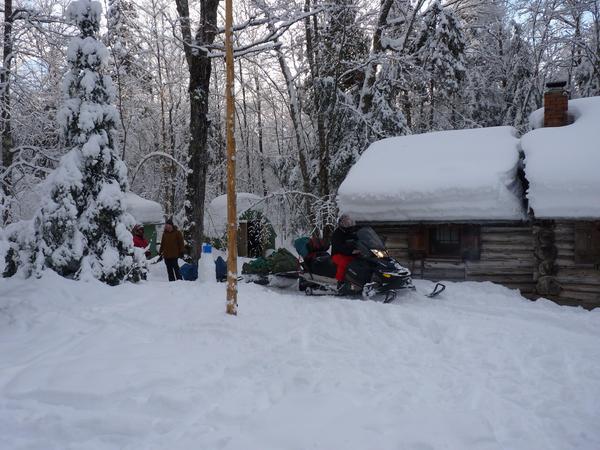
[373, 272]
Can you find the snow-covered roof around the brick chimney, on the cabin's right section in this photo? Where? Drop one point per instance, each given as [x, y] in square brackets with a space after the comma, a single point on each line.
[562, 164]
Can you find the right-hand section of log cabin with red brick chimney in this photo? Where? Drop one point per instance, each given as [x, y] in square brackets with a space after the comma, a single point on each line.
[562, 166]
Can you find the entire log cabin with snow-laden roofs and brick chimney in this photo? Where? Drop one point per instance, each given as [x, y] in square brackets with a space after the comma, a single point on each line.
[484, 205]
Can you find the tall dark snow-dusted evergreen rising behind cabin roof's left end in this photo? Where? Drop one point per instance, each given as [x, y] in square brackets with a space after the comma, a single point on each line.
[335, 51]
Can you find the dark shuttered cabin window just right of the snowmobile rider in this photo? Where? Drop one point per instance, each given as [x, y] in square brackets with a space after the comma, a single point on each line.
[457, 241]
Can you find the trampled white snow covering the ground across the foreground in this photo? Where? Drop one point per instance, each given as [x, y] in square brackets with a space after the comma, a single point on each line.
[160, 366]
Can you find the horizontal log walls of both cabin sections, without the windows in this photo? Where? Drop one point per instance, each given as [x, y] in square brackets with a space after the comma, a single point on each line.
[507, 258]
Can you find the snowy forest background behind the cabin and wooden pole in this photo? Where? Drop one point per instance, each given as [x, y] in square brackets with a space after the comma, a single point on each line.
[316, 83]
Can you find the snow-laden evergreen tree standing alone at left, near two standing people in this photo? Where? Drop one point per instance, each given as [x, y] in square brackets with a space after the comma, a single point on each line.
[82, 228]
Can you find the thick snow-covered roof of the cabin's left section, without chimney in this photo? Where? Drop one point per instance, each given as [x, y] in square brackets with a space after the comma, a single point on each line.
[439, 176]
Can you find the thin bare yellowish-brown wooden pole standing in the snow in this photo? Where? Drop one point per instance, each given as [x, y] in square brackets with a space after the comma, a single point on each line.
[231, 194]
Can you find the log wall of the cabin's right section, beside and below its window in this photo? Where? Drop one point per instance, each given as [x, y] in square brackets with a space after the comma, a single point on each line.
[580, 283]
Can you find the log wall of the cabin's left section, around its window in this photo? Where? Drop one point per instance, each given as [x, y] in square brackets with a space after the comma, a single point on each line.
[506, 257]
